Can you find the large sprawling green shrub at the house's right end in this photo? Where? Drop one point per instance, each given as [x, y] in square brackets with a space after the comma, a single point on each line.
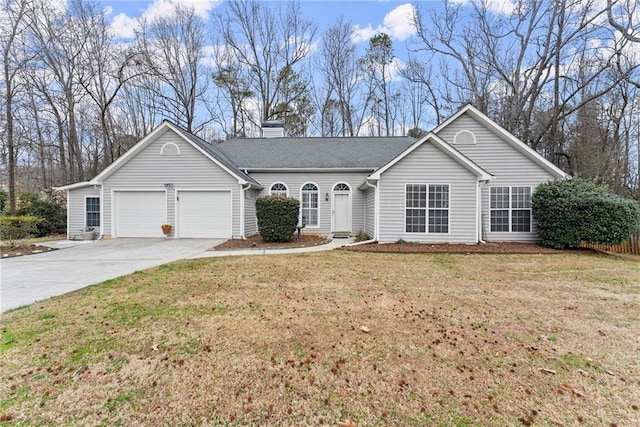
[571, 211]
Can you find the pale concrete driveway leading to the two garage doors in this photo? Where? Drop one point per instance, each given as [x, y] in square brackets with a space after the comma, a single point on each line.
[27, 279]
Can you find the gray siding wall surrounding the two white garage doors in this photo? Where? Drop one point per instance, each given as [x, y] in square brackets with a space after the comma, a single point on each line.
[149, 170]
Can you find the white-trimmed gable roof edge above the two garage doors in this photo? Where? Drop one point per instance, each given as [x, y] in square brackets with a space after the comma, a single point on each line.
[206, 149]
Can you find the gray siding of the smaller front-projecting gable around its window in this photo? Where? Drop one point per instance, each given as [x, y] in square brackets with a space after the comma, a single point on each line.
[428, 165]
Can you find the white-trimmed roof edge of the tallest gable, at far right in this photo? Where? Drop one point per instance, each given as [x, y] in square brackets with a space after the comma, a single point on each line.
[506, 136]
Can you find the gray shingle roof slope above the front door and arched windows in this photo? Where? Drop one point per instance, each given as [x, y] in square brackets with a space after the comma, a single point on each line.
[308, 153]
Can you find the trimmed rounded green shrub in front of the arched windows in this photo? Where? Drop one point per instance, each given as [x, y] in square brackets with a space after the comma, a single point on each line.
[277, 217]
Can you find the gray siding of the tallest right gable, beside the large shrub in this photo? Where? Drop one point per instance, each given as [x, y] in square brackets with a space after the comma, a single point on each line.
[508, 166]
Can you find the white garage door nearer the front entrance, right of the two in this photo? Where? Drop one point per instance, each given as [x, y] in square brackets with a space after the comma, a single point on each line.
[204, 214]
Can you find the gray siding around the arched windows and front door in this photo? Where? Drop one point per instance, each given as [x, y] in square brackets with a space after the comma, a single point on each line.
[325, 182]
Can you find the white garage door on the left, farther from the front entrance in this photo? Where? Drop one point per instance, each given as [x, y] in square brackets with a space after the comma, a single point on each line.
[140, 213]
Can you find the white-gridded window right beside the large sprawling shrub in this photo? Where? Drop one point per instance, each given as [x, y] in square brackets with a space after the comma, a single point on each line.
[511, 209]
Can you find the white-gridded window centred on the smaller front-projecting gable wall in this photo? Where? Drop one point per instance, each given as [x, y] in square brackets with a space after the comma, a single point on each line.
[427, 208]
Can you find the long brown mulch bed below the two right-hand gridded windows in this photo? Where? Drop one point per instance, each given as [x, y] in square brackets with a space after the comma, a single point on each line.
[484, 248]
